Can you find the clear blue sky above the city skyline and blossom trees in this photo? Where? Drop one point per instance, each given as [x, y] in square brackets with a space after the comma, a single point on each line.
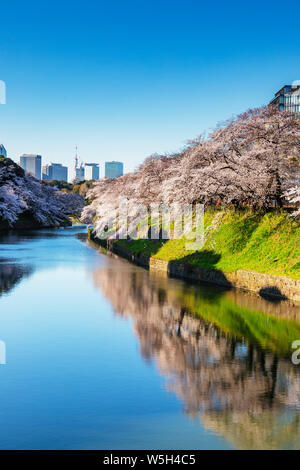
[125, 79]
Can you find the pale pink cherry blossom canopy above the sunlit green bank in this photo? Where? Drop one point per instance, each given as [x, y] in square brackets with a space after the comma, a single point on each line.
[249, 160]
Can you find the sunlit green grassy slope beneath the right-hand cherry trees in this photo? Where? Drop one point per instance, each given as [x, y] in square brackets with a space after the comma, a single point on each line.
[266, 243]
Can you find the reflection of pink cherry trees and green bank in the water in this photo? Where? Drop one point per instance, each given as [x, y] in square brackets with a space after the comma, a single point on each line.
[226, 354]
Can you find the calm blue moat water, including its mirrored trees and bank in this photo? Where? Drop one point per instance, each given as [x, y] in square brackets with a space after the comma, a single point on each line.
[97, 353]
